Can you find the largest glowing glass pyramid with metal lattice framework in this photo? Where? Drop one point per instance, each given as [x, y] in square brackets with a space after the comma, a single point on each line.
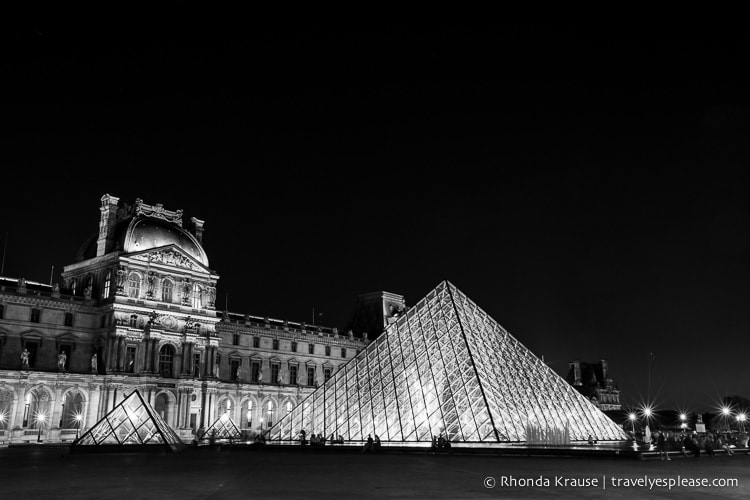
[446, 367]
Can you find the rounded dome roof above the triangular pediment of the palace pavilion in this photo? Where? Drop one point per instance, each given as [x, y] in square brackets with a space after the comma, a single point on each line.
[144, 233]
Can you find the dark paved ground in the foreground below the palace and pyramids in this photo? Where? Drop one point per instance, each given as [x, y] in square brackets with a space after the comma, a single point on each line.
[204, 473]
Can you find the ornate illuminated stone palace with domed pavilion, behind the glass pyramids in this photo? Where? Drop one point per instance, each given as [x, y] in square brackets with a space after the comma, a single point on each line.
[137, 310]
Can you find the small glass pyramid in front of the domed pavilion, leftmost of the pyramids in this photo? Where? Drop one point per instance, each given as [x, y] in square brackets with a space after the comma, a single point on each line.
[132, 422]
